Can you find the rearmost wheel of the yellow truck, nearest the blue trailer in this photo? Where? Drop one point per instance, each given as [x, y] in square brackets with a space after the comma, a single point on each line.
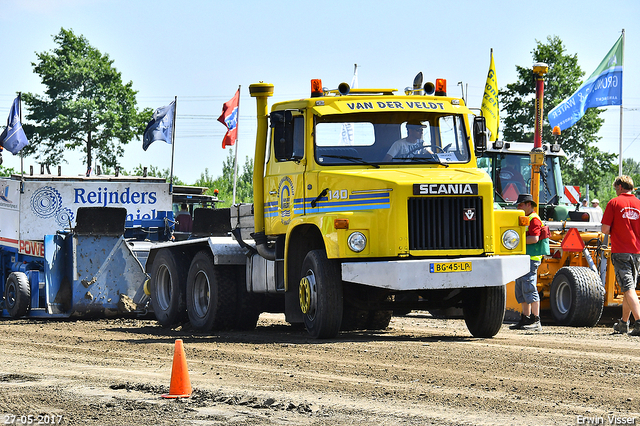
[167, 287]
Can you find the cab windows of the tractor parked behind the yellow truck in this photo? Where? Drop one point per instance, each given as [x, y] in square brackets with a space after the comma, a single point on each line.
[511, 175]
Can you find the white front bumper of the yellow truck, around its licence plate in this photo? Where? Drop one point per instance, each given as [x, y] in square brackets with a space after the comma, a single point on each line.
[416, 274]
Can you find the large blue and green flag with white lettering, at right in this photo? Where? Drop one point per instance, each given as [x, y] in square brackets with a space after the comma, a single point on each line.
[602, 88]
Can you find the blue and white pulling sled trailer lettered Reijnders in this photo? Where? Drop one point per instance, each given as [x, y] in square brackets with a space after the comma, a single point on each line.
[86, 268]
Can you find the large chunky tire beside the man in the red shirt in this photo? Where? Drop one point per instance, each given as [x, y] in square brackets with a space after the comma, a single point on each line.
[577, 297]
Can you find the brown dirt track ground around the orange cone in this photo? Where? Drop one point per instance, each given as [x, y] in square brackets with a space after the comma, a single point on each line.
[420, 371]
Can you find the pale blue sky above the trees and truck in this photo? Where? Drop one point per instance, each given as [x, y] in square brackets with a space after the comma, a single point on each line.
[201, 51]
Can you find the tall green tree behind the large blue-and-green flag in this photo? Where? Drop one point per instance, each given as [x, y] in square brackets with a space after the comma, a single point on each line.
[585, 163]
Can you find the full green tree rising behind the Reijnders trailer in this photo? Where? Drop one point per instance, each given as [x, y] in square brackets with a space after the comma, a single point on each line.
[85, 106]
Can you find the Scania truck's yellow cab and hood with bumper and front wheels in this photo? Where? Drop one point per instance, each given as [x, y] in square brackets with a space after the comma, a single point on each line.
[383, 191]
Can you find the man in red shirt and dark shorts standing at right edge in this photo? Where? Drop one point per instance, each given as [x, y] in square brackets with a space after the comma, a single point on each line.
[621, 220]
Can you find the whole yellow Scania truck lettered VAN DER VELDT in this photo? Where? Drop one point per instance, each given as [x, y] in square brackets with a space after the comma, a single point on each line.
[365, 201]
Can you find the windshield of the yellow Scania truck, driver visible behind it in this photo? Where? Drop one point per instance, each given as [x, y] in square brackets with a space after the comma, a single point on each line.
[391, 139]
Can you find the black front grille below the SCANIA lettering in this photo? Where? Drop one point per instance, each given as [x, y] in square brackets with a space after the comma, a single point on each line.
[438, 223]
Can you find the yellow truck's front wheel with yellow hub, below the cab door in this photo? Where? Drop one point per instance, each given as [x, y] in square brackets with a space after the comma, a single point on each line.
[320, 292]
